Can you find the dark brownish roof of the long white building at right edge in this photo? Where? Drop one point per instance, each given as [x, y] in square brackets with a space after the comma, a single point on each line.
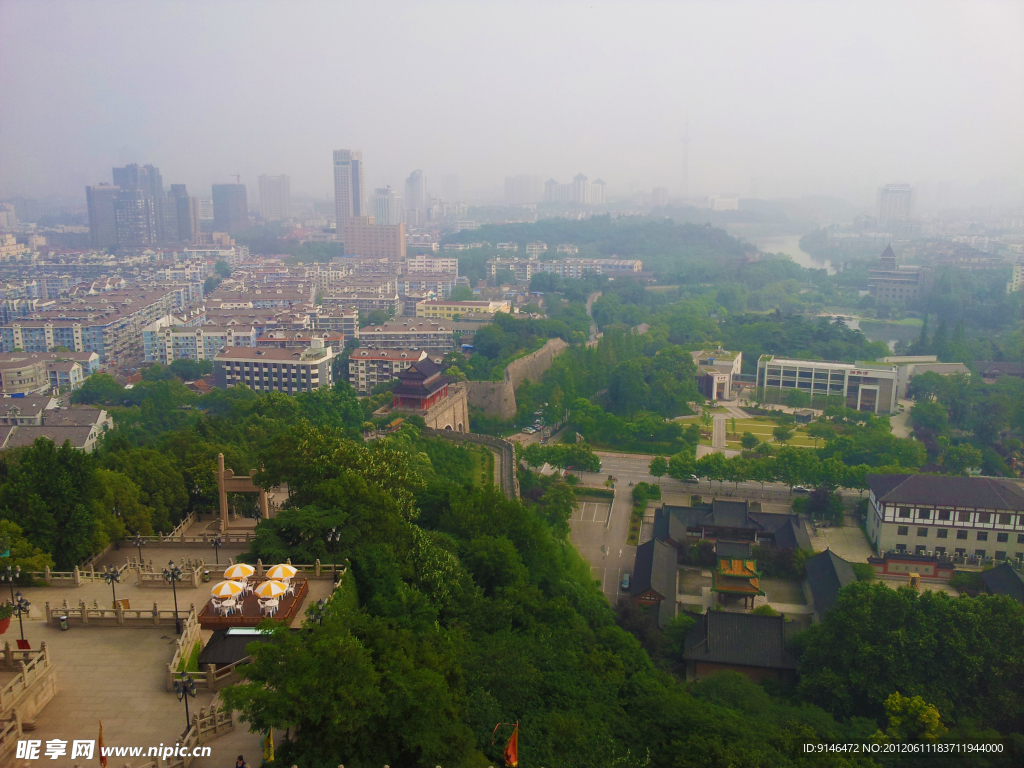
[949, 491]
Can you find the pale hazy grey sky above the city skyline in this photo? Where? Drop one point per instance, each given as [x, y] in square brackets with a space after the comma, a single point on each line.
[784, 99]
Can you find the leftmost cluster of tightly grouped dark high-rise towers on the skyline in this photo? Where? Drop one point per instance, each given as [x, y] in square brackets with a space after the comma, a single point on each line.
[136, 211]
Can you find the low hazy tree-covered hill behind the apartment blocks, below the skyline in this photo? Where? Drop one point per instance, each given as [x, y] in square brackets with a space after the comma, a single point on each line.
[663, 245]
